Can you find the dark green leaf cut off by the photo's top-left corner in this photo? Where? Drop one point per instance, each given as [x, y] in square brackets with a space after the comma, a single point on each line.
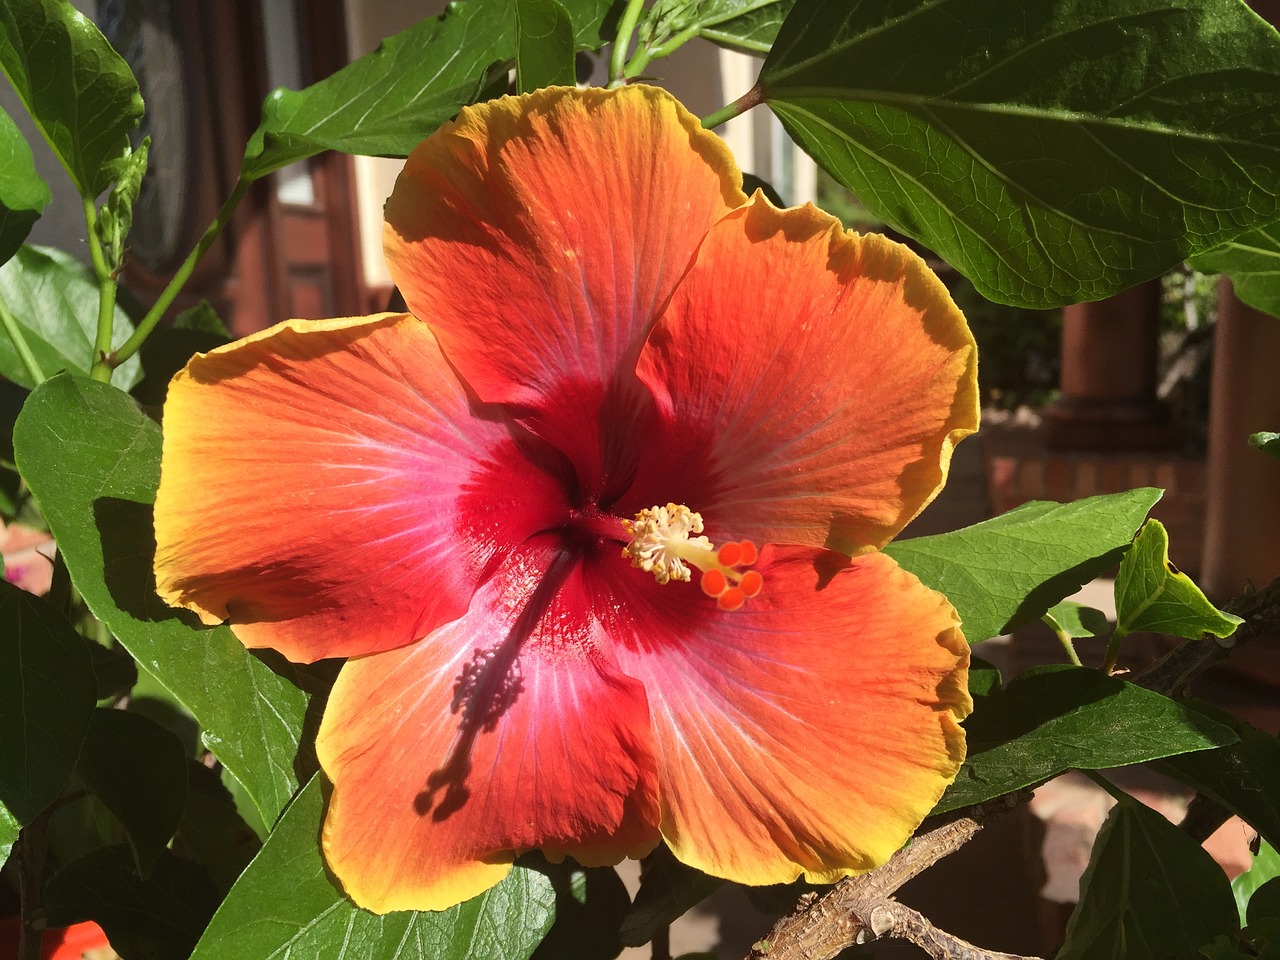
[79, 90]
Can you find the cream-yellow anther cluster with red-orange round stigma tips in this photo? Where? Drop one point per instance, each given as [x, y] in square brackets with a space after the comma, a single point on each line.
[662, 543]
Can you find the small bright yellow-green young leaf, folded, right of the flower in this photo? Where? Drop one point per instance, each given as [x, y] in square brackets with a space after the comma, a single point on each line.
[1154, 596]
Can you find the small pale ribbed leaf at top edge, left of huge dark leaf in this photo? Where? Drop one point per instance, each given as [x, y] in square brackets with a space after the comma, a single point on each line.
[749, 26]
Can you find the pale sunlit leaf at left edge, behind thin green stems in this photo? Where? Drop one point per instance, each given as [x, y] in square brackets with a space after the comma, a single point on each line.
[54, 299]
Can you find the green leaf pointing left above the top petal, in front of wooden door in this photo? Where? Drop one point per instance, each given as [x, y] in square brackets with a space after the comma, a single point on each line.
[387, 103]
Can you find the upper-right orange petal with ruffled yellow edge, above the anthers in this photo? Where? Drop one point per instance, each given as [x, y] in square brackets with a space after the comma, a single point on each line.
[812, 383]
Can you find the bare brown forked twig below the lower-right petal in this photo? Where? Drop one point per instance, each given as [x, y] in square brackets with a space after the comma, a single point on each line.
[861, 909]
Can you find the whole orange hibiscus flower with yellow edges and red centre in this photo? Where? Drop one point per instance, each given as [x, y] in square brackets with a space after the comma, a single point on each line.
[596, 524]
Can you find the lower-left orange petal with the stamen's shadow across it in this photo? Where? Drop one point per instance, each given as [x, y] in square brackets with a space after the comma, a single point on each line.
[454, 756]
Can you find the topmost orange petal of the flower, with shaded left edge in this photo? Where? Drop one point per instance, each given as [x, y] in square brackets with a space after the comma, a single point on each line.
[540, 236]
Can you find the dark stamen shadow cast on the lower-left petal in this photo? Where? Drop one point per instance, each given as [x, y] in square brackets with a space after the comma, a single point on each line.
[488, 687]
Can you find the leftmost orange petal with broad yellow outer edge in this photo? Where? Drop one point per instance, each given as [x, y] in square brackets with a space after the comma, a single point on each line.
[331, 488]
